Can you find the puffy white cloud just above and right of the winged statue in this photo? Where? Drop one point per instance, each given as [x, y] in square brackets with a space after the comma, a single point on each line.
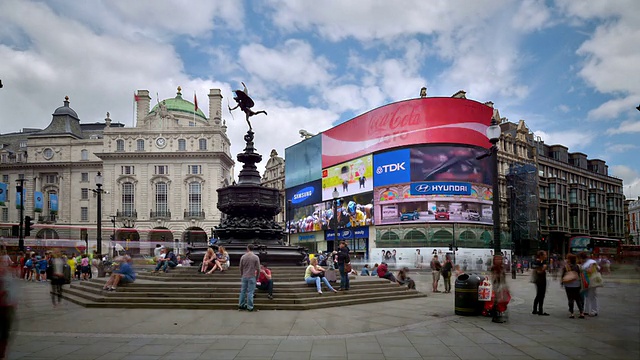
[294, 63]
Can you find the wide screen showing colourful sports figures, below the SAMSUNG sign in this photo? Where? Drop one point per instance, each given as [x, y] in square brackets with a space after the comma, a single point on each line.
[353, 211]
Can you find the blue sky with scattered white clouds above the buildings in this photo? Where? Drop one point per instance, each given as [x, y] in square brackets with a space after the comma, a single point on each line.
[568, 68]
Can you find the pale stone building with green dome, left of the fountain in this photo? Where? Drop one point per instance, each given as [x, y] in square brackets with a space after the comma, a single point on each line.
[159, 177]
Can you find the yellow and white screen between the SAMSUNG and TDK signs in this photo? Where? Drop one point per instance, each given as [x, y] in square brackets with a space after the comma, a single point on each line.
[348, 178]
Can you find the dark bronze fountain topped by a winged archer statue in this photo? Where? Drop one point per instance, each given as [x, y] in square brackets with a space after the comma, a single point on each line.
[250, 208]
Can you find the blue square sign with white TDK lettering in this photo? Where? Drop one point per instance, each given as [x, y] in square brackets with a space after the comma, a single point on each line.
[392, 167]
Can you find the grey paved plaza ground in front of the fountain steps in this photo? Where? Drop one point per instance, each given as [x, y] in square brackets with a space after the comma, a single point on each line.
[424, 328]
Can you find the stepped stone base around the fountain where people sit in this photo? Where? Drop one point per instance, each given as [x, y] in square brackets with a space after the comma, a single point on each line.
[185, 288]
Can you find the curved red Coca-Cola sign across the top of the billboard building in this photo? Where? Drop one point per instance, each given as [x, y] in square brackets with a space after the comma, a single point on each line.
[411, 122]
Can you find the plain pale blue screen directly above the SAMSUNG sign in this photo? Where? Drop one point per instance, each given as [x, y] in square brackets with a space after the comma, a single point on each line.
[302, 163]
